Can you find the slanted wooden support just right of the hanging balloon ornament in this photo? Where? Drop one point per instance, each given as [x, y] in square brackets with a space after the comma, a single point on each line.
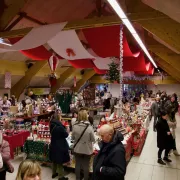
[66, 74]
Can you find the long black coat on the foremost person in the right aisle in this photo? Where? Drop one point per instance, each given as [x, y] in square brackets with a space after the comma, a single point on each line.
[164, 141]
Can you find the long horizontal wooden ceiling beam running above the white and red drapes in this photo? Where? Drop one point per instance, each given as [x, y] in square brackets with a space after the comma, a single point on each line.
[93, 22]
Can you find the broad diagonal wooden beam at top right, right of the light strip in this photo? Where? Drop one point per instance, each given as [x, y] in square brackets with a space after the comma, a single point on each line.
[166, 29]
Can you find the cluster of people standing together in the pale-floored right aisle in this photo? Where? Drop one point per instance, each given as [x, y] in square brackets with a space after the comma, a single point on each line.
[164, 111]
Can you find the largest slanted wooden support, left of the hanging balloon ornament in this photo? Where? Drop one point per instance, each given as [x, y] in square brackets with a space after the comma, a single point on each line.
[19, 87]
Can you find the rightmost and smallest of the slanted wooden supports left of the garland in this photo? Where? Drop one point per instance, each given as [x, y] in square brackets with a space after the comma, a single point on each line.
[87, 75]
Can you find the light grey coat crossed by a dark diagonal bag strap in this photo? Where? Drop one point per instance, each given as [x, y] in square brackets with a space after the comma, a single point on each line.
[85, 144]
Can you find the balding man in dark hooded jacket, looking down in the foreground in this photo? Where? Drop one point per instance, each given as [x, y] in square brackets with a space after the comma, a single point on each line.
[110, 162]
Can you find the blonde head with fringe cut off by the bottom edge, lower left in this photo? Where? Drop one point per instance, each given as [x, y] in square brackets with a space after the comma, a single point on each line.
[29, 170]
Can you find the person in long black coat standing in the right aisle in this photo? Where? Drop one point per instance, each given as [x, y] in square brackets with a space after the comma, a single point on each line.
[164, 138]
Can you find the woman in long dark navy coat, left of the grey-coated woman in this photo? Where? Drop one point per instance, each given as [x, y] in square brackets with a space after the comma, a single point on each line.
[59, 148]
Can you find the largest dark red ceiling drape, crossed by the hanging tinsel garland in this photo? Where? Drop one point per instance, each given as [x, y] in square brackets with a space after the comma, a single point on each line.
[105, 41]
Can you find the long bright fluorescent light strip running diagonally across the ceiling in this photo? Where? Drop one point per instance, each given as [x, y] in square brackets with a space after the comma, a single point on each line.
[117, 8]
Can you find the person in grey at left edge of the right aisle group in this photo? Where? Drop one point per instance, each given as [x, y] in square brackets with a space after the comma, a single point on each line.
[155, 111]
